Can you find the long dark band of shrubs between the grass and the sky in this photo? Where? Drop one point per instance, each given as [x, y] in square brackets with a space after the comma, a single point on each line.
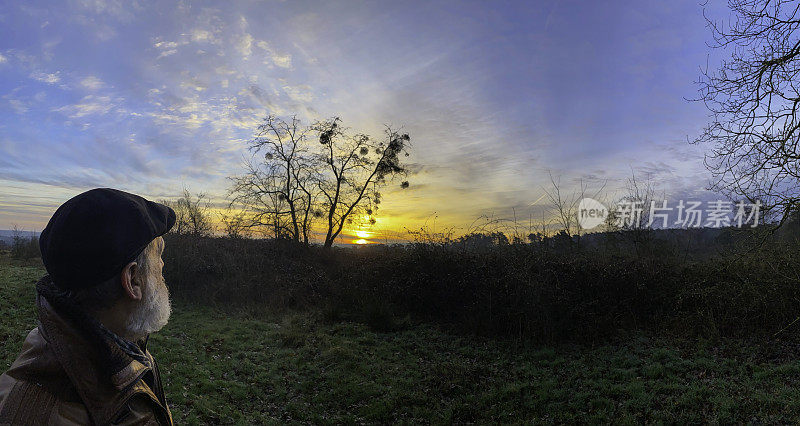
[535, 291]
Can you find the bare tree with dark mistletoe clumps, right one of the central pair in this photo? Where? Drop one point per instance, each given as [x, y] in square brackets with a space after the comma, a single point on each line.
[355, 168]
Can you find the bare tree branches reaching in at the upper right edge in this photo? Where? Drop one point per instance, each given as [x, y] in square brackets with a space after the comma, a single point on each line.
[753, 98]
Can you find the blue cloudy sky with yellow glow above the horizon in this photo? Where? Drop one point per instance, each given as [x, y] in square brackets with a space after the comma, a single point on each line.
[152, 97]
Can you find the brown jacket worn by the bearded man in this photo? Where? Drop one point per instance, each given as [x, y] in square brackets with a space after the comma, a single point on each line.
[59, 379]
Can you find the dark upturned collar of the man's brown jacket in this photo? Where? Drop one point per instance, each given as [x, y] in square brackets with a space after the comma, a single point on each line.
[104, 373]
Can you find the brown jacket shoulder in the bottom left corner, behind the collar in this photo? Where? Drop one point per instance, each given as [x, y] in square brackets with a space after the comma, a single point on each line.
[35, 390]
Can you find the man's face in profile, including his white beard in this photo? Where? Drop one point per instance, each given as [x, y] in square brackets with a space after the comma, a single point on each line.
[154, 308]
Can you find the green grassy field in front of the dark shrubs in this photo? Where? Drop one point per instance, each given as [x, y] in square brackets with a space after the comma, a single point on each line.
[250, 369]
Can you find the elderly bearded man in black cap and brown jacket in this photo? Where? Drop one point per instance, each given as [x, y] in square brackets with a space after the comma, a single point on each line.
[87, 361]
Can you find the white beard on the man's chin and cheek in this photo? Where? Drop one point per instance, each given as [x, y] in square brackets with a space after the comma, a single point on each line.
[153, 311]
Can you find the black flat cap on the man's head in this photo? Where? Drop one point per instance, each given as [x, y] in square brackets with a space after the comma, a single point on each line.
[92, 236]
